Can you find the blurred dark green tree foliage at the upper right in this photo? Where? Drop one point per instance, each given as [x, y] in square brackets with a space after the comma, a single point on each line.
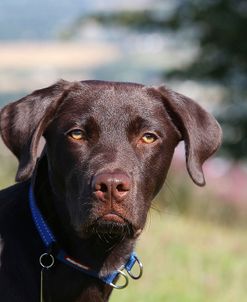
[219, 30]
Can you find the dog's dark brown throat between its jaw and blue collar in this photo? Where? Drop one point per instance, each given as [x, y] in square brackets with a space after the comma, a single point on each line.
[102, 254]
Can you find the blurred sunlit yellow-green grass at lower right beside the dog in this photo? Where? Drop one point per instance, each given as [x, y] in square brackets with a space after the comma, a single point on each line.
[186, 260]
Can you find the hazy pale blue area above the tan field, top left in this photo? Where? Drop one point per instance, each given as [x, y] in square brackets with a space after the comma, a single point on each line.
[43, 20]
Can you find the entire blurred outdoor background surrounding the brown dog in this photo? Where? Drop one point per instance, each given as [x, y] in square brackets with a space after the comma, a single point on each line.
[194, 246]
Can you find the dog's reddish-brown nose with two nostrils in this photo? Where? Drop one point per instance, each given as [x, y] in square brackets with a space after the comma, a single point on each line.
[108, 186]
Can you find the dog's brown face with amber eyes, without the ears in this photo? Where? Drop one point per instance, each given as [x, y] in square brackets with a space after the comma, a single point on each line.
[109, 148]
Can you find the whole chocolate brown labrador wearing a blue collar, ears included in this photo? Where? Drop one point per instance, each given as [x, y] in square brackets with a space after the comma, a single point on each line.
[68, 227]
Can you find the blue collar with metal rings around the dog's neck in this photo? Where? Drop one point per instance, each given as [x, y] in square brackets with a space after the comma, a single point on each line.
[49, 240]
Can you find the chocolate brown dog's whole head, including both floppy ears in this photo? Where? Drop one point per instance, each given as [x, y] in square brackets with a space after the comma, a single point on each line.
[109, 146]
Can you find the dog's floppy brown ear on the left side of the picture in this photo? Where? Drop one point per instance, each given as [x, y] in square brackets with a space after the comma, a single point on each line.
[23, 122]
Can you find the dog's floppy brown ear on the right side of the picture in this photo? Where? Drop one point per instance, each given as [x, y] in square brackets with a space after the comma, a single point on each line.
[199, 130]
